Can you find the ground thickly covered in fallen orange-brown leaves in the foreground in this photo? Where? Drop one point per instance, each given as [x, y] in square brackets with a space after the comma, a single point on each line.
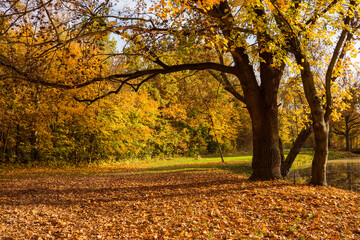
[177, 205]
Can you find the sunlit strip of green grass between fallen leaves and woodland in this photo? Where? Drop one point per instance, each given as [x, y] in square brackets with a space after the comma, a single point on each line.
[237, 164]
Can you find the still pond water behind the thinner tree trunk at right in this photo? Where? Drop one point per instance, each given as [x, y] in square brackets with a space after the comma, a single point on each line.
[343, 174]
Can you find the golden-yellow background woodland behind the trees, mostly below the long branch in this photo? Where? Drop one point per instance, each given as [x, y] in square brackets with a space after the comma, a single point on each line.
[184, 114]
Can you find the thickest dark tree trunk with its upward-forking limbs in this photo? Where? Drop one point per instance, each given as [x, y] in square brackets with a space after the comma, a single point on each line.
[260, 97]
